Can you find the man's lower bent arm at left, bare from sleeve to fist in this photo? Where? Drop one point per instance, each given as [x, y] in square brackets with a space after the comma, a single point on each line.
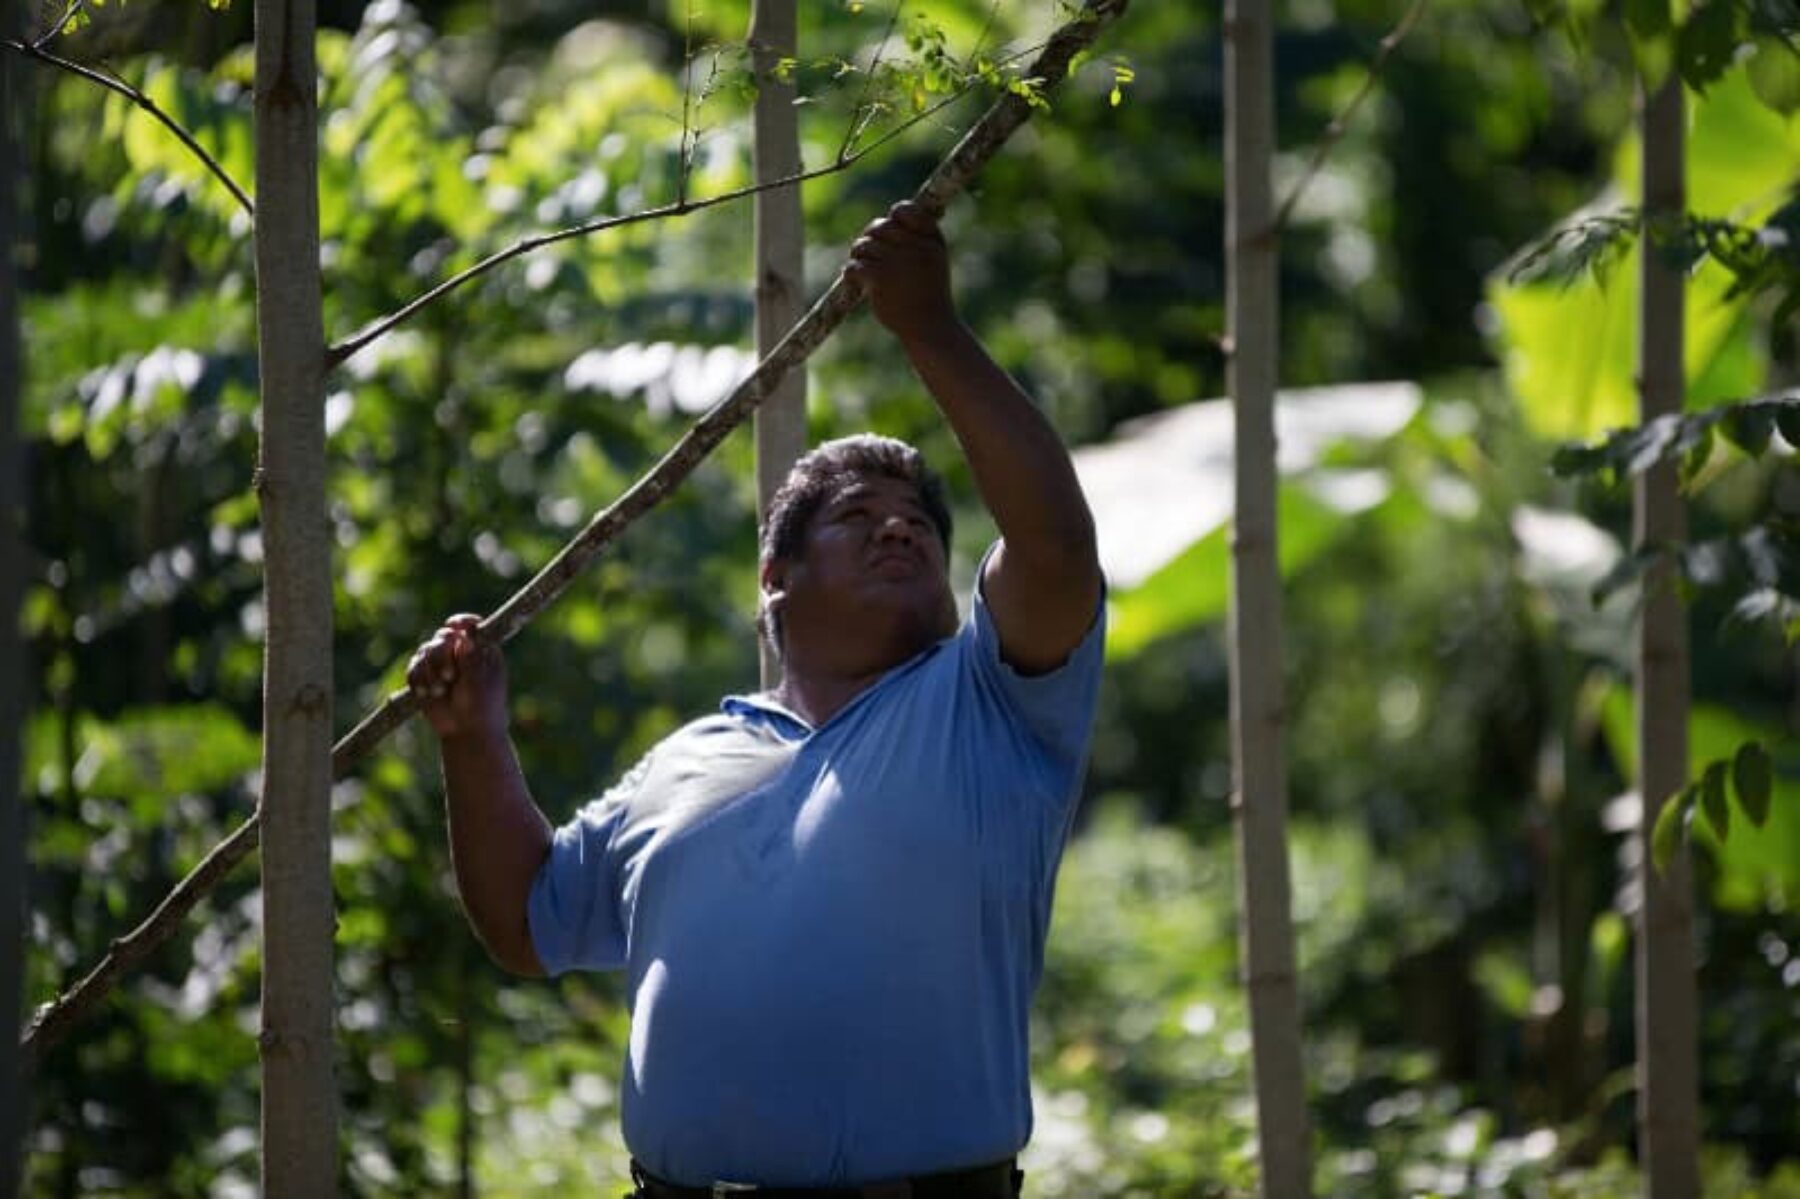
[498, 834]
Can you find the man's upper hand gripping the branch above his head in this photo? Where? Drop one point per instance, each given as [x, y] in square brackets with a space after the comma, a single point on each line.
[903, 266]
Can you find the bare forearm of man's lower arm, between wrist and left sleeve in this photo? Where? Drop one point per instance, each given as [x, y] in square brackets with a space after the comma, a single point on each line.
[498, 843]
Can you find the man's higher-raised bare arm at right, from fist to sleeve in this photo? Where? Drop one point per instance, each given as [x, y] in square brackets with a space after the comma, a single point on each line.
[1043, 584]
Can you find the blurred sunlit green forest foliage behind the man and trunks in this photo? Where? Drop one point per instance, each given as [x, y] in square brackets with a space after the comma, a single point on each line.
[1461, 707]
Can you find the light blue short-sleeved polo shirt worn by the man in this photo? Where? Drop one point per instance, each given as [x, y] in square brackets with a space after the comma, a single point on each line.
[832, 935]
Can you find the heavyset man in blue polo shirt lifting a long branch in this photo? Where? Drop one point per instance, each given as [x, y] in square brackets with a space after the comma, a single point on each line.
[832, 899]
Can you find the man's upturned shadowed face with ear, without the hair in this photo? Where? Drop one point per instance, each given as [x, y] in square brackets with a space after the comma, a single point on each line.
[870, 582]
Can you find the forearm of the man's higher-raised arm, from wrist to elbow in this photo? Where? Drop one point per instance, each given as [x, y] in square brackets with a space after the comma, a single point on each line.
[1016, 456]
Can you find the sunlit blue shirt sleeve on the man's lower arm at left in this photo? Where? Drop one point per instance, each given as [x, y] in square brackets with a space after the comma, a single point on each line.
[573, 910]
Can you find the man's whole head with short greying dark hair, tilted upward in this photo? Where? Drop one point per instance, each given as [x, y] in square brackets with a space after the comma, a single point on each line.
[854, 552]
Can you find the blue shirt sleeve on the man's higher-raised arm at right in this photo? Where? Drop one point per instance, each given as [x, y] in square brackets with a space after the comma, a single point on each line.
[1056, 707]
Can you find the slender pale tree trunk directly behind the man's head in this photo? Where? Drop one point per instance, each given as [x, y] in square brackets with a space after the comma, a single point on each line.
[780, 244]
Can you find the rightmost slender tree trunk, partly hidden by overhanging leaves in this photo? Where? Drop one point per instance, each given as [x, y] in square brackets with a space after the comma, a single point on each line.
[1668, 1027]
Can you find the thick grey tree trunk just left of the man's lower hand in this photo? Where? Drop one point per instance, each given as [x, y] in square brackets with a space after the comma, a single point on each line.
[300, 1099]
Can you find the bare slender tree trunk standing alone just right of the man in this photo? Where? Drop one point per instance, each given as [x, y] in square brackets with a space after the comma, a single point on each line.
[1257, 705]
